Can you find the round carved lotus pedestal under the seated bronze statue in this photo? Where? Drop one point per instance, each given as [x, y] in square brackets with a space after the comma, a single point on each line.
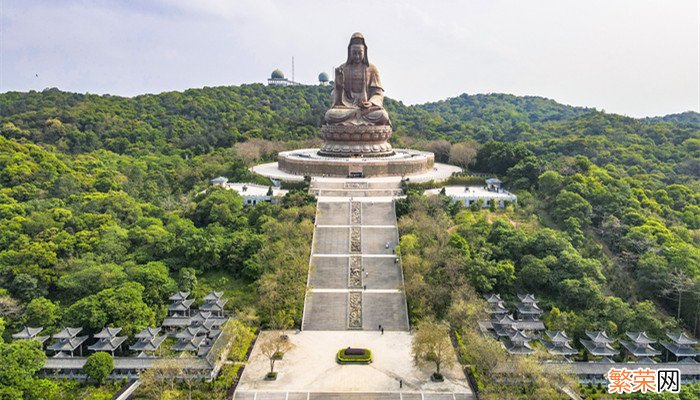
[356, 140]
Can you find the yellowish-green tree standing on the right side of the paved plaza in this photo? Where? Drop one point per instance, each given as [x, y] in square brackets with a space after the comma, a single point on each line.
[431, 344]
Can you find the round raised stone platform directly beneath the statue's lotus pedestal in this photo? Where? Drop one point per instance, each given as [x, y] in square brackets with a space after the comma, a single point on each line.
[308, 162]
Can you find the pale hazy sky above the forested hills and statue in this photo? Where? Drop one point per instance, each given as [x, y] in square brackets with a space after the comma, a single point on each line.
[633, 57]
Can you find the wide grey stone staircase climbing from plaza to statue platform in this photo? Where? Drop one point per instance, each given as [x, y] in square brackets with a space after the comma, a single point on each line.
[355, 279]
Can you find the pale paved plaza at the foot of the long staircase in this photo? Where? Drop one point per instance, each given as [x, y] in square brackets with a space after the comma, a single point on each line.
[310, 367]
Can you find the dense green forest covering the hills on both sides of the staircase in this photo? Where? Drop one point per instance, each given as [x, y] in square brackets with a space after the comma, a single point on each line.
[106, 209]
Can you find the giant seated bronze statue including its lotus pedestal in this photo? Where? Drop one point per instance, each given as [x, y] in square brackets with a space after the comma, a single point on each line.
[357, 123]
